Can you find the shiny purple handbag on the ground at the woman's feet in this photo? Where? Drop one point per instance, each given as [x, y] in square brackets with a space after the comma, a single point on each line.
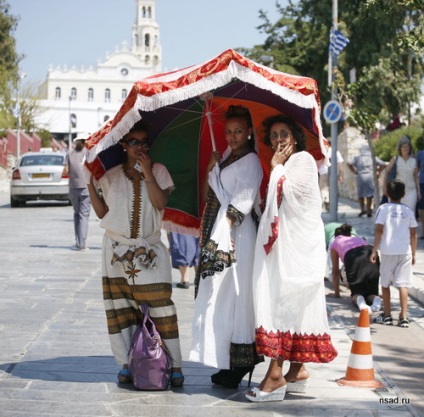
[148, 359]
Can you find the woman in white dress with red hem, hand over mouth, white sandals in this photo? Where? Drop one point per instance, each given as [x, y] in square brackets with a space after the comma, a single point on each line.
[290, 259]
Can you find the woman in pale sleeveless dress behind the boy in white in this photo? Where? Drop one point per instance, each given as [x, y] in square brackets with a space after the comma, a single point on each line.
[406, 171]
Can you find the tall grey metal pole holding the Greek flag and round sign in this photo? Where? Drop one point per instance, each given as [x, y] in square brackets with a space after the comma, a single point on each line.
[333, 171]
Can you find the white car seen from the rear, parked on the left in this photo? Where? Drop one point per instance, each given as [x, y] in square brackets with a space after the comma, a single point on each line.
[39, 176]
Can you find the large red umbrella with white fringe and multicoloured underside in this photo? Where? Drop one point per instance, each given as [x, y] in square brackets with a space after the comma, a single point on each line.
[185, 111]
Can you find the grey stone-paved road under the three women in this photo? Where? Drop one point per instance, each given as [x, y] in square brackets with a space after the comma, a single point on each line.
[55, 358]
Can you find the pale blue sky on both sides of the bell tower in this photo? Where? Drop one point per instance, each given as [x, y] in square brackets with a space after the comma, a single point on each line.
[81, 32]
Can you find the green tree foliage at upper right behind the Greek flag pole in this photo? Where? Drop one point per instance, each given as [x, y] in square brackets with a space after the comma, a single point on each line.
[385, 38]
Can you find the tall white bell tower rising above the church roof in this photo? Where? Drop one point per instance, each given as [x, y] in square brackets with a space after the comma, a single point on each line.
[145, 39]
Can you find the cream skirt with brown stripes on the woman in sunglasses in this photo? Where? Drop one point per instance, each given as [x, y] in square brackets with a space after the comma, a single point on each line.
[124, 289]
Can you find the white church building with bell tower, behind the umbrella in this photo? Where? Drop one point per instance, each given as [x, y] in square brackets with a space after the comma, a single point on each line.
[81, 100]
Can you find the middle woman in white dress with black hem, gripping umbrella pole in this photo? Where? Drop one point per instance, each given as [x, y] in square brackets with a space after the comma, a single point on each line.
[223, 326]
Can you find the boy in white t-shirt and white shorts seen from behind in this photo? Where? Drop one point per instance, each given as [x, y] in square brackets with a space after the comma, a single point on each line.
[396, 236]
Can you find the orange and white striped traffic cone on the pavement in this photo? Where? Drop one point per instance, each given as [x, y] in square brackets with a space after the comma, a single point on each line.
[360, 371]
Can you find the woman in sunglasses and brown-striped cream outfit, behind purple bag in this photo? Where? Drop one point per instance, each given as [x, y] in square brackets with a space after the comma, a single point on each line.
[136, 267]
